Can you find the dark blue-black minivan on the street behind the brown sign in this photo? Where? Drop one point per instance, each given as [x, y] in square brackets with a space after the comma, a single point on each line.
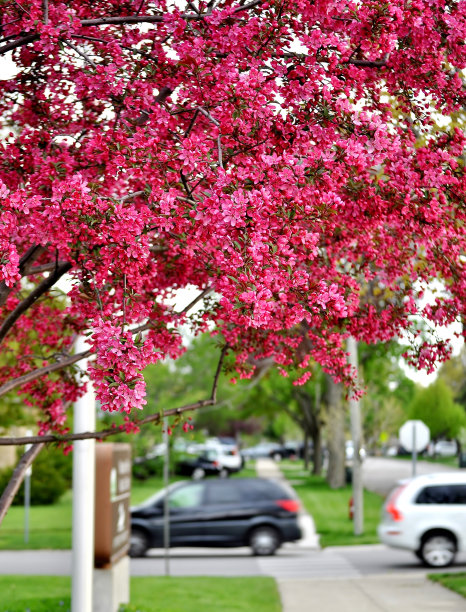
[254, 512]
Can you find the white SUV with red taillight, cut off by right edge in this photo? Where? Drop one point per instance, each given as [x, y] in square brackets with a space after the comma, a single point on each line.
[427, 515]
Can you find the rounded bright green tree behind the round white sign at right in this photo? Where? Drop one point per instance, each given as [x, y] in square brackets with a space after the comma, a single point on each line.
[435, 406]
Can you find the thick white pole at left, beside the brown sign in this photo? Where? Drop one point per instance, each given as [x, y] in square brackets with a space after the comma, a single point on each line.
[83, 500]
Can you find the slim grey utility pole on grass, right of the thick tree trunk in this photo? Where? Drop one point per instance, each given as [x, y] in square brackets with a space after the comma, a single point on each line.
[355, 419]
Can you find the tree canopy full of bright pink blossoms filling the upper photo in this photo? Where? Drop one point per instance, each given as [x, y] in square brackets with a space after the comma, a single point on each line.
[261, 152]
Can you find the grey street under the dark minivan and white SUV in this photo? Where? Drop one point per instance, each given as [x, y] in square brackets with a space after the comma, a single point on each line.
[290, 562]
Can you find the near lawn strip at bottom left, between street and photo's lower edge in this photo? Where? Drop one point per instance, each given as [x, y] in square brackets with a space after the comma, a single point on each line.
[52, 594]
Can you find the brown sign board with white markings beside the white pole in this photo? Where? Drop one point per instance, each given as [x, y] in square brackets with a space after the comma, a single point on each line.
[112, 492]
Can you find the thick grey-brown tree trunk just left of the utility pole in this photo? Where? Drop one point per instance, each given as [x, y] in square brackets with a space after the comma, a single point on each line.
[335, 434]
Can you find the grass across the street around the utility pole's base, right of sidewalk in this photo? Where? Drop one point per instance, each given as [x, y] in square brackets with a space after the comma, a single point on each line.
[329, 508]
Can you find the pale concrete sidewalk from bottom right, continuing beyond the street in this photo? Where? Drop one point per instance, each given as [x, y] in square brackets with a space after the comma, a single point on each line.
[381, 593]
